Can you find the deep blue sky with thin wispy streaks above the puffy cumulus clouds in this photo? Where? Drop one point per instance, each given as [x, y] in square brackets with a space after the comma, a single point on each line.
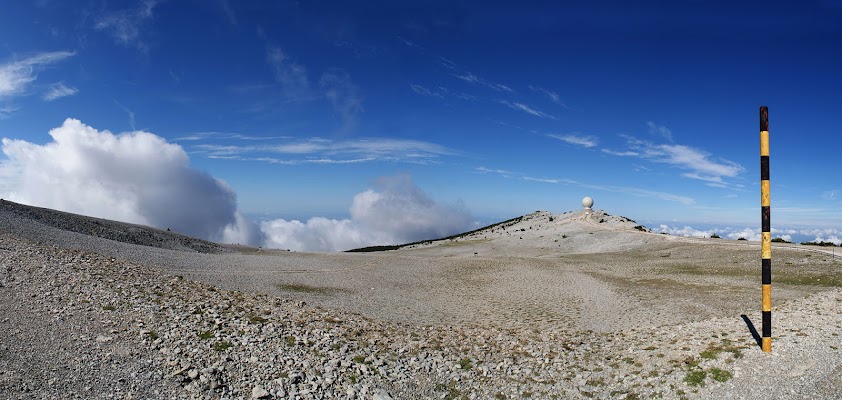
[496, 110]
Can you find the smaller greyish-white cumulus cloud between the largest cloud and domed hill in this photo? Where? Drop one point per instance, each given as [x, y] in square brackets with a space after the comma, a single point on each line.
[396, 211]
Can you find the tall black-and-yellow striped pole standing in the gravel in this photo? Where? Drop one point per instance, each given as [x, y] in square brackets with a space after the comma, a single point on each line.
[766, 231]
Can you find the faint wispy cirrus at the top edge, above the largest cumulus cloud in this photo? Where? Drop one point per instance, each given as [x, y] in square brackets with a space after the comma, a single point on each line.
[126, 26]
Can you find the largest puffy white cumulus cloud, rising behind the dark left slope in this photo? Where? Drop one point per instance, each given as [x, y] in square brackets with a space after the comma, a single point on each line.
[135, 177]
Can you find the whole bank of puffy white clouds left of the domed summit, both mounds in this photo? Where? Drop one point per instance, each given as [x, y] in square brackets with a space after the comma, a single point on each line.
[141, 178]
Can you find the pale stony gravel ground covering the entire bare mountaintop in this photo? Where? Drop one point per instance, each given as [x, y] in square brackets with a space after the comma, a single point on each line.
[574, 309]
